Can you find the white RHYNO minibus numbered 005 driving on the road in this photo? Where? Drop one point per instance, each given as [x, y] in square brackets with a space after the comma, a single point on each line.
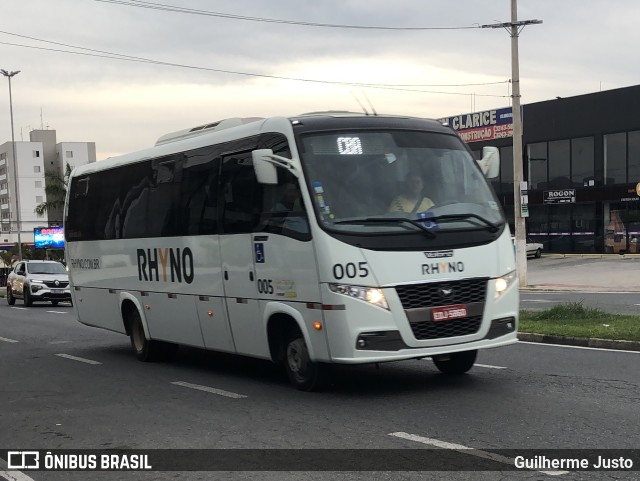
[312, 240]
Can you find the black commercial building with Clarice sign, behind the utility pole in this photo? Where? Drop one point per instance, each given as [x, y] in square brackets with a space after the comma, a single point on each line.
[581, 164]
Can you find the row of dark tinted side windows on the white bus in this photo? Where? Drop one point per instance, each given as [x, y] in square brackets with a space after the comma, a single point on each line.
[174, 195]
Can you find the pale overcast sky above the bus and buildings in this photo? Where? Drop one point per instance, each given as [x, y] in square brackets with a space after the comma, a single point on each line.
[582, 46]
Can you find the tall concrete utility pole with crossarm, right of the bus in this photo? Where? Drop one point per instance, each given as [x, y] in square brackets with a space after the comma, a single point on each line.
[514, 27]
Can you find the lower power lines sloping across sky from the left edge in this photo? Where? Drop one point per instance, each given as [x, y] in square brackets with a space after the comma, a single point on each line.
[88, 52]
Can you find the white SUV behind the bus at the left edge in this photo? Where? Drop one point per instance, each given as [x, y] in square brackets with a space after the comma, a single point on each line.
[34, 281]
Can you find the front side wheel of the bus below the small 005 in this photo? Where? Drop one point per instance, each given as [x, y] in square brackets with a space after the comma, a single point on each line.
[303, 373]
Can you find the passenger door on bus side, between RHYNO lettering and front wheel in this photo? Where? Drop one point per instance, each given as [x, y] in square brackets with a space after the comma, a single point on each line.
[240, 214]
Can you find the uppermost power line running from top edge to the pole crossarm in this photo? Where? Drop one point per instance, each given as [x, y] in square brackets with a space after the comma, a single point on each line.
[208, 13]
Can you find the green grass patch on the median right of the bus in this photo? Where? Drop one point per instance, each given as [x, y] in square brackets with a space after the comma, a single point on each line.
[576, 320]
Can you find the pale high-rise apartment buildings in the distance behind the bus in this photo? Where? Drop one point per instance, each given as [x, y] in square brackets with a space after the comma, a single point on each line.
[40, 156]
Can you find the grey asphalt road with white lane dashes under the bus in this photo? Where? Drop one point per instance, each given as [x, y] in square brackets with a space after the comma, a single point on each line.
[68, 386]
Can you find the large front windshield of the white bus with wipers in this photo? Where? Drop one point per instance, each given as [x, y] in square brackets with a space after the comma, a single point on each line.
[397, 181]
